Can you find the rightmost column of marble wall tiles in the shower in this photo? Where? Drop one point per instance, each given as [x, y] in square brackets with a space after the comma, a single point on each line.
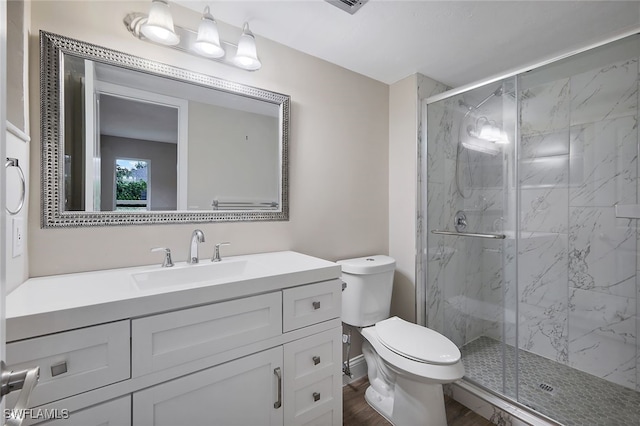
[602, 248]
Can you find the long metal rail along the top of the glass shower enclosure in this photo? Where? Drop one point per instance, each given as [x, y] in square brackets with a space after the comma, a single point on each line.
[511, 73]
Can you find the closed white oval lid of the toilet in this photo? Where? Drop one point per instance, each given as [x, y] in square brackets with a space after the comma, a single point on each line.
[416, 342]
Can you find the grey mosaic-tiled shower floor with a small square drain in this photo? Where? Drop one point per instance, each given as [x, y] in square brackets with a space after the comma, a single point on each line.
[565, 394]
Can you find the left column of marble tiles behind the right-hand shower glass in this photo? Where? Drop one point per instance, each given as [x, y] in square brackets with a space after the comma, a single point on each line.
[543, 246]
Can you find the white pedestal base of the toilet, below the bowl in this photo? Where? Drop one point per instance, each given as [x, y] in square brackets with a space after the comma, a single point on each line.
[411, 403]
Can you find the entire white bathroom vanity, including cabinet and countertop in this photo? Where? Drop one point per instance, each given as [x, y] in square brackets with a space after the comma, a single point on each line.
[249, 340]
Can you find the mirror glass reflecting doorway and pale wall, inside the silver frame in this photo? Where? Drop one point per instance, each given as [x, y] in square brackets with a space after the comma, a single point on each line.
[230, 147]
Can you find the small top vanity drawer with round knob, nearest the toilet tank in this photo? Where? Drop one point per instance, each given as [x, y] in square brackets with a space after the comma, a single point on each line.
[311, 304]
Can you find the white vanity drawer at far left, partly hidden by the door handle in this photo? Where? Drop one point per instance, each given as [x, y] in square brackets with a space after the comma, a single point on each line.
[72, 362]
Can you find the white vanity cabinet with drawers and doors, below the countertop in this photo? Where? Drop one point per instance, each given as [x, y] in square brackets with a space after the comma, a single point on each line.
[265, 354]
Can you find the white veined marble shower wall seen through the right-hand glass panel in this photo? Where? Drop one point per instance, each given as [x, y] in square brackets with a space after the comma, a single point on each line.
[577, 262]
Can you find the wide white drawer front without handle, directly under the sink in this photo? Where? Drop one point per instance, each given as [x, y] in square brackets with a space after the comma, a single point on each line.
[176, 338]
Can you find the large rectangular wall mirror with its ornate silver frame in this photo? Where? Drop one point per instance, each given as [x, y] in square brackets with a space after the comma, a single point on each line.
[126, 140]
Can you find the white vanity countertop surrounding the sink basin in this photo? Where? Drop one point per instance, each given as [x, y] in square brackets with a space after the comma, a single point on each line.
[51, 304]
